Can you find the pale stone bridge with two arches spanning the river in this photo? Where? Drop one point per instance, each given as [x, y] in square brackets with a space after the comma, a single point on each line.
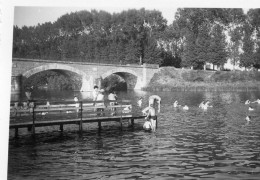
[136, 76]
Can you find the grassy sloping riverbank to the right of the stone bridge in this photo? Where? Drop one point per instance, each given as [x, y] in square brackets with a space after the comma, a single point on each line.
[174, 79]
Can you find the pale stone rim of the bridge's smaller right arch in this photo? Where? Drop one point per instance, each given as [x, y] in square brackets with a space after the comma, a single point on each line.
[132, 78]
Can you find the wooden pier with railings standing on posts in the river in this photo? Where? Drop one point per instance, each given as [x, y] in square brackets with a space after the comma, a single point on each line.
[68, 112]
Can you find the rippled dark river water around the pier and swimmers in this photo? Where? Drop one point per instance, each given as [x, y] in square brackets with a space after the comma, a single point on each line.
[194, 144]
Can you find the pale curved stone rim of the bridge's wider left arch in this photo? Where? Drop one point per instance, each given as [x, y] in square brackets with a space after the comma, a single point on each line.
[85, 79]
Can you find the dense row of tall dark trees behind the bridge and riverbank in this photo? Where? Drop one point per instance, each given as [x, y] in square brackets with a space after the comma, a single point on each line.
[196, 36]
